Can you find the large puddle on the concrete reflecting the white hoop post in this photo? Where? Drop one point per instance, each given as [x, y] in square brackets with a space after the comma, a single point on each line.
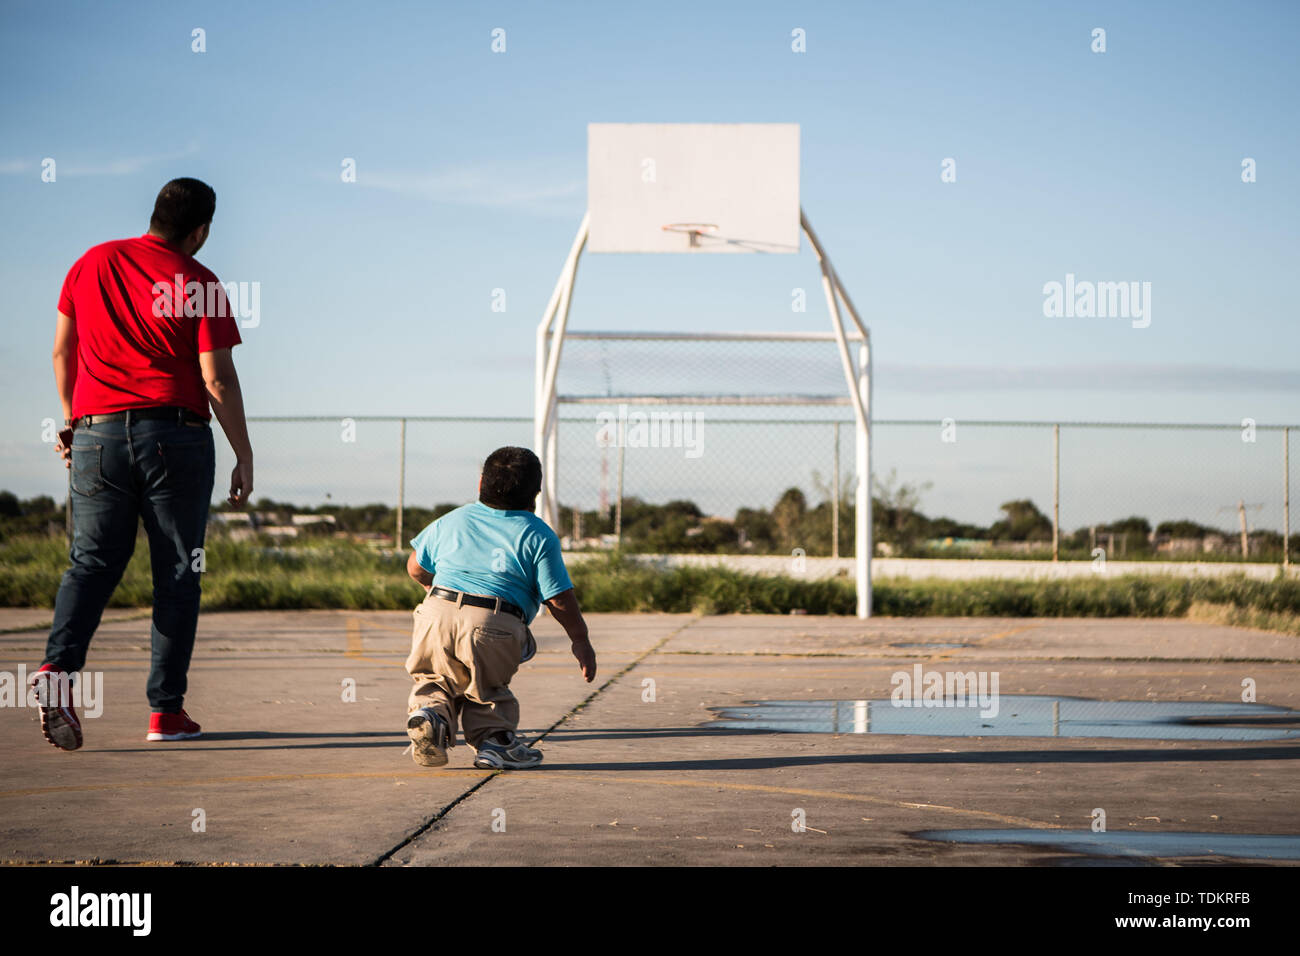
[1019, 717]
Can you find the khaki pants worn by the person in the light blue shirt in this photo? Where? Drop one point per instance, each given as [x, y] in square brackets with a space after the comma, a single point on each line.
[462, 661]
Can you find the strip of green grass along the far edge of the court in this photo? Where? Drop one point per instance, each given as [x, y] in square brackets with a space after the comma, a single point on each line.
[337, 574]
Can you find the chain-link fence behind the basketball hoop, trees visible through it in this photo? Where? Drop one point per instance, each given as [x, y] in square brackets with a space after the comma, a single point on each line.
[694, 483]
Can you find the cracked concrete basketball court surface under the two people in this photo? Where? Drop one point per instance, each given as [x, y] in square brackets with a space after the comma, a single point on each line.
[289, 773]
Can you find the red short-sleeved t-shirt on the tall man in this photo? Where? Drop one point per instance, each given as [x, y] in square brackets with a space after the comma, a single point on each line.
[144, 313]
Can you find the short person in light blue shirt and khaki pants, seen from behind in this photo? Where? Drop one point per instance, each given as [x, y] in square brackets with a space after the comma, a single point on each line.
[487, 568]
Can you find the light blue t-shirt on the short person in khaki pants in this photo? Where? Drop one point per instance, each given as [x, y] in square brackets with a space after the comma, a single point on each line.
[482, 551]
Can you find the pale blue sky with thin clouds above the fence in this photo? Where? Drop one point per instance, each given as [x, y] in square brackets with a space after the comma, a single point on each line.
[376, 297]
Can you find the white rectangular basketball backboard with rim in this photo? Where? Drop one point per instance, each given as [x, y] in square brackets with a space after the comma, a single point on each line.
[721, 188]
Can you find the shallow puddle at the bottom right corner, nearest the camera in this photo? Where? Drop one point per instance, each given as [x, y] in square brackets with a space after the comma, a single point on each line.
[1129, 843]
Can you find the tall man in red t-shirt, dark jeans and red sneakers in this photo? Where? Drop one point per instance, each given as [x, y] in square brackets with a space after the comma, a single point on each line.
[142, 351]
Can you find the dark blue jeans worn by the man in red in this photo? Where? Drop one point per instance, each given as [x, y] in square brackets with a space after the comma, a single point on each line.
[159, 471]
